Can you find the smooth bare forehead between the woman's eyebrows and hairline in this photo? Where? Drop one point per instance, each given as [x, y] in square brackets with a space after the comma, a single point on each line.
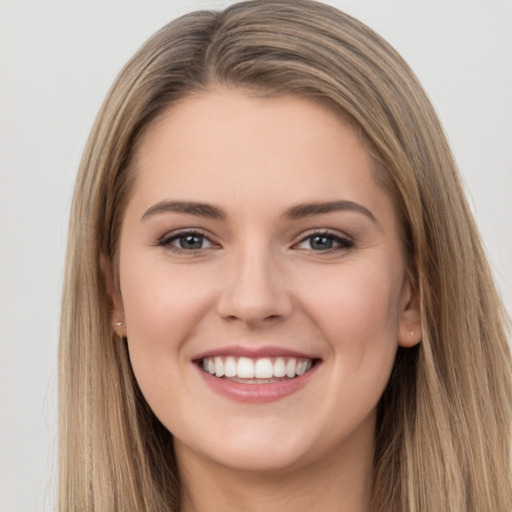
[230, 147]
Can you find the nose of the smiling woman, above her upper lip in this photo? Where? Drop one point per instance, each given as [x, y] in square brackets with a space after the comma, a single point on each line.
[255, 291]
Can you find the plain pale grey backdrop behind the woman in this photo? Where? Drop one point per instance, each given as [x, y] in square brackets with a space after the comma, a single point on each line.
[57, 60]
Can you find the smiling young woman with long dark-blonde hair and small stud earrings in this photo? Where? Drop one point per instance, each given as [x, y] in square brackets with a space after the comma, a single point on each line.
[275, 292]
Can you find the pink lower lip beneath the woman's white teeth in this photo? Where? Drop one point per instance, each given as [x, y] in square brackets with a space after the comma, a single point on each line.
[257, 393]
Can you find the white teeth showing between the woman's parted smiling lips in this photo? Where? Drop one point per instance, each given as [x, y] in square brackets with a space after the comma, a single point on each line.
[263, 370]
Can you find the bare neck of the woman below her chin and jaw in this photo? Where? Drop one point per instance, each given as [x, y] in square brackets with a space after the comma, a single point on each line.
[339, 484]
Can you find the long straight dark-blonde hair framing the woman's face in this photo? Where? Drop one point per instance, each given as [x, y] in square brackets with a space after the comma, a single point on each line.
[443, 435]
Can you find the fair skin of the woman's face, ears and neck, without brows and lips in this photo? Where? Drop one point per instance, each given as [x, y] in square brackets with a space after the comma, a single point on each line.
[255, 281]
